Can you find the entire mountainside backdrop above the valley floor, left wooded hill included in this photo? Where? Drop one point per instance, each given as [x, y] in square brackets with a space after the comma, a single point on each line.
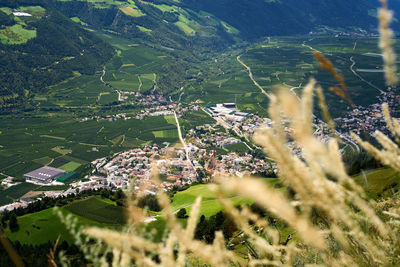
[56, 42]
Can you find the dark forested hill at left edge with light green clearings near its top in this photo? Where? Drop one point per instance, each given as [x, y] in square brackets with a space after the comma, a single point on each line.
[42, 49]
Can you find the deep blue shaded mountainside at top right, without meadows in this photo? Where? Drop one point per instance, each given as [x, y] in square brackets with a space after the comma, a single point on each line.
[258, 18]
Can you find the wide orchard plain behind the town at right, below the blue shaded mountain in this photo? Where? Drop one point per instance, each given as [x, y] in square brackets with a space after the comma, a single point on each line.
[287, 62]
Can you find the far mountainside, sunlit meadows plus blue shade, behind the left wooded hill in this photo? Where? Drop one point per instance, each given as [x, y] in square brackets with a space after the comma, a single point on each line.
[217, 22]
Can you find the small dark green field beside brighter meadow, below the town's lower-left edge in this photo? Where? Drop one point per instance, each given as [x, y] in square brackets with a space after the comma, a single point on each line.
[98, 210]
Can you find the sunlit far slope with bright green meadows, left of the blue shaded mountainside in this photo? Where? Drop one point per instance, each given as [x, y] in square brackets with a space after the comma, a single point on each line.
[166, 23]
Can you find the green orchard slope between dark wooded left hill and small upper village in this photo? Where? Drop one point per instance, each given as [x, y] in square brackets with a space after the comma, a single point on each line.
[133, 68]
